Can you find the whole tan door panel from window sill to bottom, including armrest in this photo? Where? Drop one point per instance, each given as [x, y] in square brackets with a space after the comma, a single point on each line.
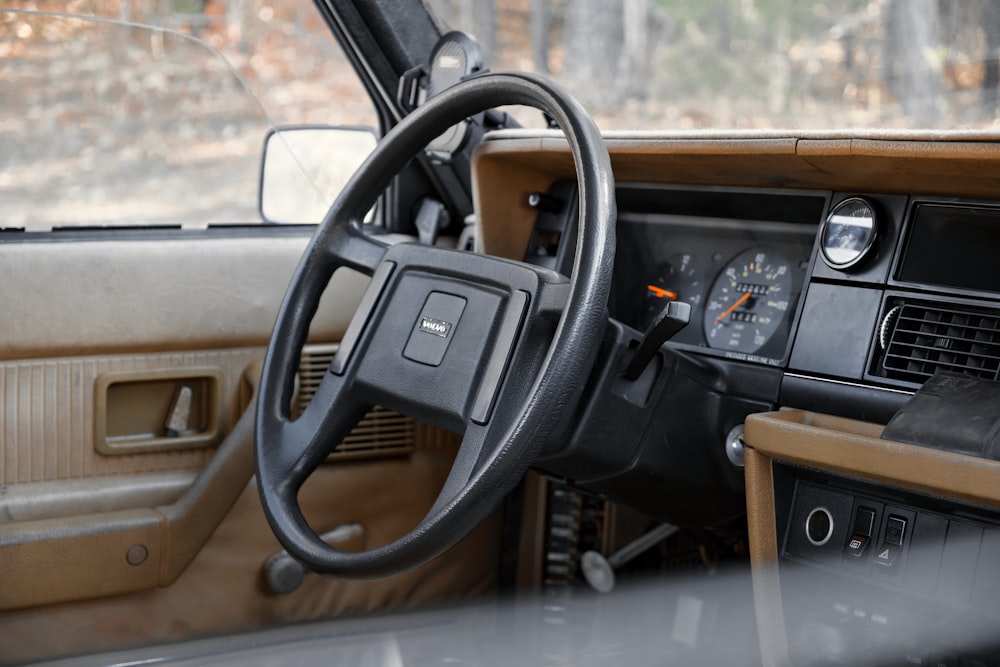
[168, 542]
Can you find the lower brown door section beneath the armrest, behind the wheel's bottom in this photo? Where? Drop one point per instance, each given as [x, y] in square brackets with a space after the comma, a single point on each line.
[223, 590]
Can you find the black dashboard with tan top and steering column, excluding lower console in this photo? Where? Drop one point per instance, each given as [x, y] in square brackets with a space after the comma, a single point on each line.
[821, 274]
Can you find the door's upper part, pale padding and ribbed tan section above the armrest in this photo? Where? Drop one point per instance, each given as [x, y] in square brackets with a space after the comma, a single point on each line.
[76, 312]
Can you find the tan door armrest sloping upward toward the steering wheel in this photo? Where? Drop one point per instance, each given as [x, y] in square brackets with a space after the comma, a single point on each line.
[92, 555]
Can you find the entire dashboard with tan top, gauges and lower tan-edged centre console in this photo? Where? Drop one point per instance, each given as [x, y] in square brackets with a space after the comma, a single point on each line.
[843, 338]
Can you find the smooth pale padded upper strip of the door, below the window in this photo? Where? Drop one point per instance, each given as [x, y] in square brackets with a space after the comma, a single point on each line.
[184, 292]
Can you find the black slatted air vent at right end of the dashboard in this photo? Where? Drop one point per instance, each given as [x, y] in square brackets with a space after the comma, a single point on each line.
[926, 338]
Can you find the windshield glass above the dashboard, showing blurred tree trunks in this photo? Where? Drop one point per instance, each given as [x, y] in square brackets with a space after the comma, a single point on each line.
[753, 64]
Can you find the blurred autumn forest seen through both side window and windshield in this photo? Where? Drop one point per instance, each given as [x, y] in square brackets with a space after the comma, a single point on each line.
[111, 124]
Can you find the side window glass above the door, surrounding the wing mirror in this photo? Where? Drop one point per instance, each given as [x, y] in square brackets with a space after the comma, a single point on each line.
[155, 113]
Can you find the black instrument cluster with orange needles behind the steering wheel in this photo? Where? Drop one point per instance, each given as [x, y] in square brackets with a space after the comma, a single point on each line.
[742, 278]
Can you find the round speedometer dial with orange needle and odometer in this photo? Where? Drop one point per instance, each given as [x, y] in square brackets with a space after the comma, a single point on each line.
[748, 301]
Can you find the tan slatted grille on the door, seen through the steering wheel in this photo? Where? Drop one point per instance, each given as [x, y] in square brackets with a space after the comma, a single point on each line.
[380, 433]
